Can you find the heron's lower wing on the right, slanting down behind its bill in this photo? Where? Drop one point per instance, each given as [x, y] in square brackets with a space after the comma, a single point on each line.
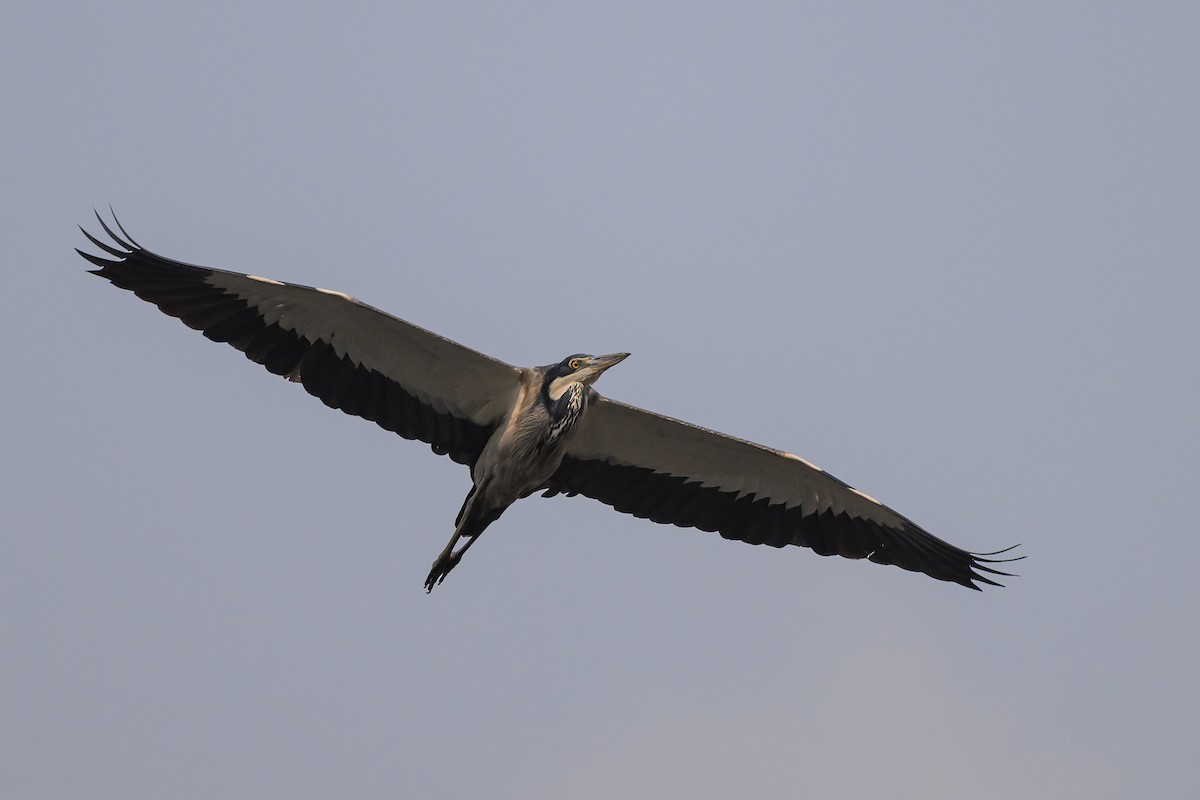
[671, 472]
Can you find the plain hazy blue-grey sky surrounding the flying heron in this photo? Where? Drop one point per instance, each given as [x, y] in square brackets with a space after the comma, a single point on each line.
[949, 254]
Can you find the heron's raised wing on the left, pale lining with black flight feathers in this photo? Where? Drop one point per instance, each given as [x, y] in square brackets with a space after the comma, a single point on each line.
[355, 358]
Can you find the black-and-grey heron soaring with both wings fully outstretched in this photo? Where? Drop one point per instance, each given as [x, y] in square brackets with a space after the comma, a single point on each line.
[526, 430]
